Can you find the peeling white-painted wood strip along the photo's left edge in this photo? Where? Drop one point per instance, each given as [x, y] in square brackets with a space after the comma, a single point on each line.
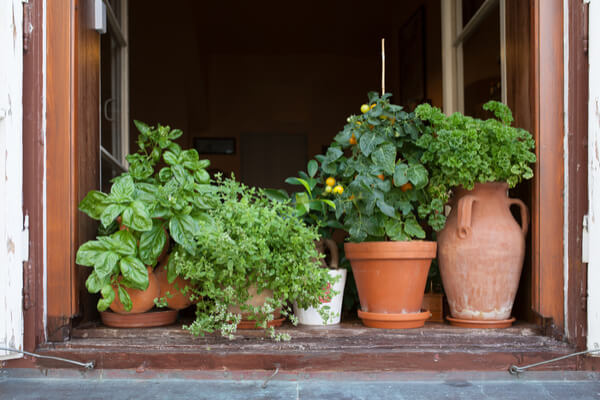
[11, 169]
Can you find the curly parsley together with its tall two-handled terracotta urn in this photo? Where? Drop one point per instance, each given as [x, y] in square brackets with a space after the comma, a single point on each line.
[481, 249]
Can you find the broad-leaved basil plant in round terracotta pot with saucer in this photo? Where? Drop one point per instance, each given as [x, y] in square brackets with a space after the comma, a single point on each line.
[150, 207]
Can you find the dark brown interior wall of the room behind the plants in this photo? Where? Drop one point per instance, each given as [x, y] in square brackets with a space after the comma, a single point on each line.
[213, 71]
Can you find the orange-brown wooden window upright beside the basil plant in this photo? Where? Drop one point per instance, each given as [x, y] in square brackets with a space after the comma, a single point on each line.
[72, 151]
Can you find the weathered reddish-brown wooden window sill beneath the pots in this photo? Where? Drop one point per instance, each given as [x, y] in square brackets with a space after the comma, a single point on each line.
[346, 347]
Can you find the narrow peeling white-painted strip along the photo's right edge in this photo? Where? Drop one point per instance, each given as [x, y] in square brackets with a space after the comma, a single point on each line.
[593, 339]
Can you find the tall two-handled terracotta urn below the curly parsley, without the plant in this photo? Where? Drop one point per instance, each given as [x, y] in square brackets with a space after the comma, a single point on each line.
[481, 252]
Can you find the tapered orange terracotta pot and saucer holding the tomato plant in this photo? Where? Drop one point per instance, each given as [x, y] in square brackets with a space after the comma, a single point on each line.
[390, 278]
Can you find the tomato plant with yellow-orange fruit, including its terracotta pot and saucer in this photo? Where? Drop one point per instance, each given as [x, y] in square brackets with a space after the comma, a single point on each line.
[383, 198]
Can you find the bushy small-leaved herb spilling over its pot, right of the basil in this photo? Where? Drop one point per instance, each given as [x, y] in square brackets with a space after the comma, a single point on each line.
[255, 247]
